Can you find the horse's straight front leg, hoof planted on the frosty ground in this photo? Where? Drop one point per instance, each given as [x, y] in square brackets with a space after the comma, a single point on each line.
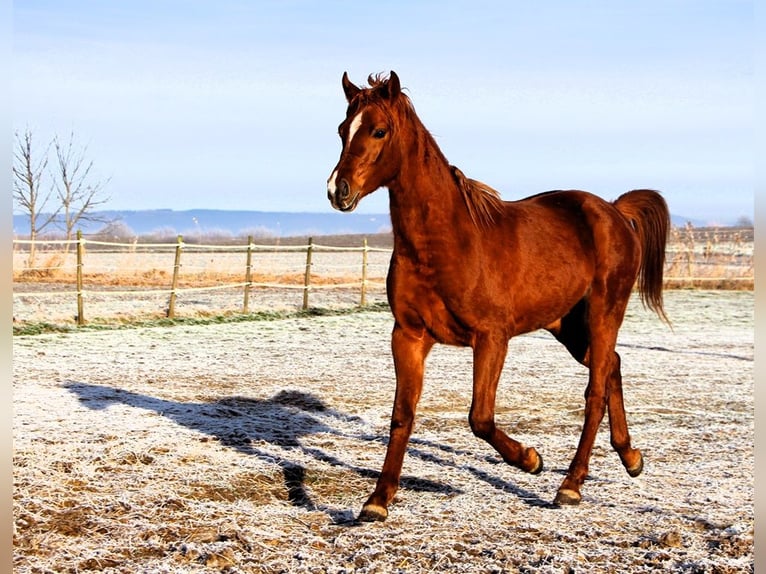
[409, 351]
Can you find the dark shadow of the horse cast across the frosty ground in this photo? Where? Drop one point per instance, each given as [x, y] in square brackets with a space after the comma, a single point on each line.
[242, 423]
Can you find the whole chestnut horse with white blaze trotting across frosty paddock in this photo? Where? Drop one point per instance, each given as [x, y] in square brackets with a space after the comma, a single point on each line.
[470, 269]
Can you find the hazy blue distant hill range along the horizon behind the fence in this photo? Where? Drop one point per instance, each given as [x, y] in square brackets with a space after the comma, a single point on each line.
[221, 223]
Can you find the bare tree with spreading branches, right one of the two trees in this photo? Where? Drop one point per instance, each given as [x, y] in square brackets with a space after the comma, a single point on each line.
[78, 193]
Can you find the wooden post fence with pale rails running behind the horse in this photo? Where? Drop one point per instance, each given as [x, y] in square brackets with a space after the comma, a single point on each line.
[262, 267]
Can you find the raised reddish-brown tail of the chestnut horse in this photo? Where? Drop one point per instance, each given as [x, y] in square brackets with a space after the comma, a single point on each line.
[648, 214]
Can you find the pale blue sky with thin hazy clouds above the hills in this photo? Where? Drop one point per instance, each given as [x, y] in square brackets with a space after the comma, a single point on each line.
[235, 104]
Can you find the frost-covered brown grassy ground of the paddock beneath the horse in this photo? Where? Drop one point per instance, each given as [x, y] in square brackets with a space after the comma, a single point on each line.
[250, 447]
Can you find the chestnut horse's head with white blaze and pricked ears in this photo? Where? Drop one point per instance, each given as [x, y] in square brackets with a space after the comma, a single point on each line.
[370, 157]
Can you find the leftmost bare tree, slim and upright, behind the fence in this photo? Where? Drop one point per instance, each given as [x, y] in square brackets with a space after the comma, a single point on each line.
[28, 171]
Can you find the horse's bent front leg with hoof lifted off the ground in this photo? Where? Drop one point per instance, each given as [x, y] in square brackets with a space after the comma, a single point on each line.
[489, 356]
